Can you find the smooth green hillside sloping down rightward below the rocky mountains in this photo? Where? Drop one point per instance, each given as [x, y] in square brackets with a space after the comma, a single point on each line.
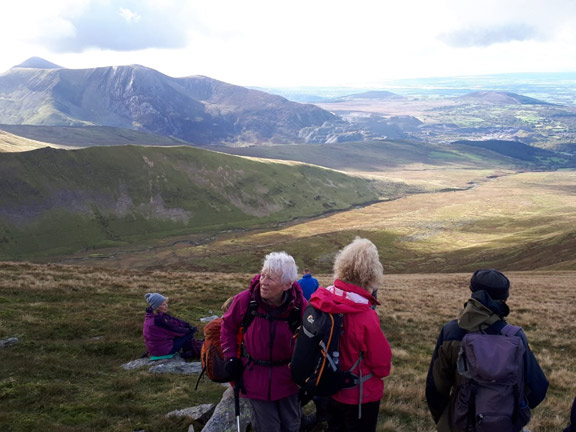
[58, 201]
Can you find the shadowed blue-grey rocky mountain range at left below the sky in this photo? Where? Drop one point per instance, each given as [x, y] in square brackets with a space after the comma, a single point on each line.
[197, 109]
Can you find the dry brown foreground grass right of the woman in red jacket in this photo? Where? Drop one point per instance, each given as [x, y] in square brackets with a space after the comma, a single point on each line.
[414, 308]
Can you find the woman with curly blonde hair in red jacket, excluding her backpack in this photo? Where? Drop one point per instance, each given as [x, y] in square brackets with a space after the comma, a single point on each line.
[364, 349]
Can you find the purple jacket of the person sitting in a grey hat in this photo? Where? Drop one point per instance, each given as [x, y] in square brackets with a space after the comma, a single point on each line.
[160, 330]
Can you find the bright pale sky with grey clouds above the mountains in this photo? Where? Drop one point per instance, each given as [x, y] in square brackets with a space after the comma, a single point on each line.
[280, 43]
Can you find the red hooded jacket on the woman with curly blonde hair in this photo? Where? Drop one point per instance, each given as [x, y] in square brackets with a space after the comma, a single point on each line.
[362, 333]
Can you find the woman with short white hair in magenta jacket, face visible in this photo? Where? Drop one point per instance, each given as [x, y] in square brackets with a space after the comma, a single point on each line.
[257, 358]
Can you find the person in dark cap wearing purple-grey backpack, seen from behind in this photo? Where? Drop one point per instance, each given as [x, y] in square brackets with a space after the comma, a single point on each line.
[456, 391]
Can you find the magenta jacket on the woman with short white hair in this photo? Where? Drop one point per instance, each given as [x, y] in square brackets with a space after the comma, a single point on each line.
[267, 341]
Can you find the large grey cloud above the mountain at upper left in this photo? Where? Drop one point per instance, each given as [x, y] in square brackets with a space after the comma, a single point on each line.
[126, 25]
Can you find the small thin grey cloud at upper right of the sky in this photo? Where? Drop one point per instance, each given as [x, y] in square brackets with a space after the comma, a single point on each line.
[486, 36]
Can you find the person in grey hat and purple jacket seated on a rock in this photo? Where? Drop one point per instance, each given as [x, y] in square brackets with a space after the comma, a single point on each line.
[165, 334]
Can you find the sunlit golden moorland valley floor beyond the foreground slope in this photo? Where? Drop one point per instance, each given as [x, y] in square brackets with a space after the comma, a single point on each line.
[523, 221]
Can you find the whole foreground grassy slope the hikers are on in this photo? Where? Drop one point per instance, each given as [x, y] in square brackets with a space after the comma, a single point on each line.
[78, 325]
